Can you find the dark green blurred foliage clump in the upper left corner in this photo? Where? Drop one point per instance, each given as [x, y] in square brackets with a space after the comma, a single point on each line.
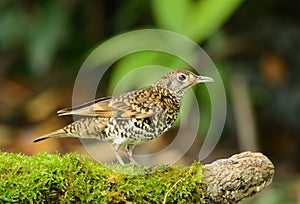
[42, 32]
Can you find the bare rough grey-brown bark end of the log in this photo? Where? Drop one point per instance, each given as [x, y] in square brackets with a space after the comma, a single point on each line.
[238, 177]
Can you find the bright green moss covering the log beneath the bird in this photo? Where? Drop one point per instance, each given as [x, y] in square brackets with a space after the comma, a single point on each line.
[73, 178]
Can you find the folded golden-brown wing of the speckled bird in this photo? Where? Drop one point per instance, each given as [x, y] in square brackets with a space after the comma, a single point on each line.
[107, 107]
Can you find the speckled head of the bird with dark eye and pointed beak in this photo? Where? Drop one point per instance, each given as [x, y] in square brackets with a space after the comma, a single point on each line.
[178, 81]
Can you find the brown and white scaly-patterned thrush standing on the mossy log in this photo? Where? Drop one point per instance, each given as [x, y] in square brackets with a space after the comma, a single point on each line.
[131, 118]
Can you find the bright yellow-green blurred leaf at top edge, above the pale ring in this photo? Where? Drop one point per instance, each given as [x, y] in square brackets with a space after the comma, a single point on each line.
[194, 19]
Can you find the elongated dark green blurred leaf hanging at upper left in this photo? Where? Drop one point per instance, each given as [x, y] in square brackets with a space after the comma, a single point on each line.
[46, 35]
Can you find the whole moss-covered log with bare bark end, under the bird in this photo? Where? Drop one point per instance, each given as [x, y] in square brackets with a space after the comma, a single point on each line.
[73, 178]
